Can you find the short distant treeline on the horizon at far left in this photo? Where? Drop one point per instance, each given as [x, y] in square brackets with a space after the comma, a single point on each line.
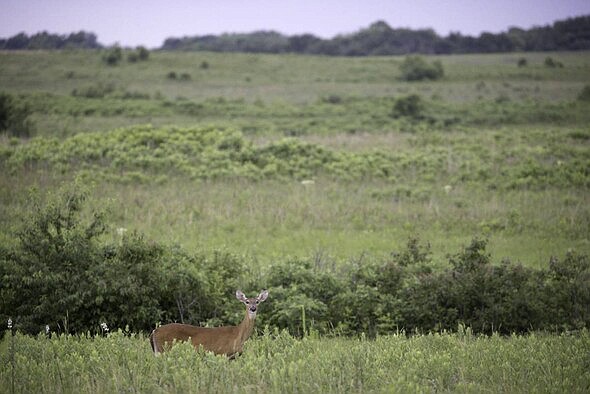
[45, 40]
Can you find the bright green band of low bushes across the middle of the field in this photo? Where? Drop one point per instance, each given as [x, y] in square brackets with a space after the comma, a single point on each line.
[146, 152]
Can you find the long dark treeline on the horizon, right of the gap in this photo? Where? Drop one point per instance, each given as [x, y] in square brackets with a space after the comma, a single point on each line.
[380, 39]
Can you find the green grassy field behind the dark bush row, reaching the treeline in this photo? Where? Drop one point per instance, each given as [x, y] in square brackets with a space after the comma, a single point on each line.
[499, 151]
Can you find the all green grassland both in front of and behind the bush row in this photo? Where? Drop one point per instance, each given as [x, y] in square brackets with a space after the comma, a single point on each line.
[499, 151]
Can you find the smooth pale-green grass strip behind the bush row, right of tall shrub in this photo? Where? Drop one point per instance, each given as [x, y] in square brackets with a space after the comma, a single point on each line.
[269, 219]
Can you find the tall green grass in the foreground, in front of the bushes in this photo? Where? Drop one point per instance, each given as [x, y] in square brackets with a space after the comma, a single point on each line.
[279, 363]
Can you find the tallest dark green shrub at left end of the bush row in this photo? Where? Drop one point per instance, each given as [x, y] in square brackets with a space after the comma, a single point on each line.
[46, 276]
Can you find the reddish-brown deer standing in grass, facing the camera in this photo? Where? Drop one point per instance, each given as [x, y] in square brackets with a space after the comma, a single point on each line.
[225, 340]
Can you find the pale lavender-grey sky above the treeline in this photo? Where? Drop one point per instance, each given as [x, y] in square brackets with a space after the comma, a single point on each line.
[150, 22]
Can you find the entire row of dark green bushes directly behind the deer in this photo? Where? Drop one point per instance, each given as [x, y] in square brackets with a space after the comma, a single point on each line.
[62, 273]
